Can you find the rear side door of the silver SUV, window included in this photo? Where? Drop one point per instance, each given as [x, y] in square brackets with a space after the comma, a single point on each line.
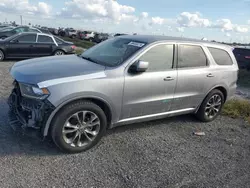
[194, 77]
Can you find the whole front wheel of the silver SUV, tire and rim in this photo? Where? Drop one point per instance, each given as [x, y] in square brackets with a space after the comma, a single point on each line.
[78, 127]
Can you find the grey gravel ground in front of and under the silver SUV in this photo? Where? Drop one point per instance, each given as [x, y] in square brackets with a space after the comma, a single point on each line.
[161, 153]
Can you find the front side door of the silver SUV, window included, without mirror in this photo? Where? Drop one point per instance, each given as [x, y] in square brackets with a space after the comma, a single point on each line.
[151, 92]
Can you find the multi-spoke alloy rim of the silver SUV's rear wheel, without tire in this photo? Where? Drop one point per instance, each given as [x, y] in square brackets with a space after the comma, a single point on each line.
[213, 106]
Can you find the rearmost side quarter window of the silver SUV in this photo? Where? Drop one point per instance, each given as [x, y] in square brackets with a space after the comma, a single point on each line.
[221, 57]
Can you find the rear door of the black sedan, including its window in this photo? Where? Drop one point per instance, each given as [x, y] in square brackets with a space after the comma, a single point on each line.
[44, 45]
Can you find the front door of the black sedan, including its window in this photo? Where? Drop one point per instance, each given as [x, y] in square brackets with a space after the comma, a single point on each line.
[21, 46]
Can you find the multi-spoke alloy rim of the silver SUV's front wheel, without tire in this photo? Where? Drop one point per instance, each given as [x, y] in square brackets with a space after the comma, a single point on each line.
[81, 128]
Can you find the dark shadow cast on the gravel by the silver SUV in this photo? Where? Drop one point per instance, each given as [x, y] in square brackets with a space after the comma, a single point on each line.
[15, 143]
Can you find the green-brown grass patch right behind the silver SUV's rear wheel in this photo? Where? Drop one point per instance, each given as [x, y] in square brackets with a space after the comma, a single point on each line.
[237, 109]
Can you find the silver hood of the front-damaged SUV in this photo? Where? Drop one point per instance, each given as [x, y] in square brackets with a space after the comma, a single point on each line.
[38, 70]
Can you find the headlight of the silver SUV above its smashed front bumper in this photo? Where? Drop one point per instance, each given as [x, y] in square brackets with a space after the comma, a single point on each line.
[33, 92]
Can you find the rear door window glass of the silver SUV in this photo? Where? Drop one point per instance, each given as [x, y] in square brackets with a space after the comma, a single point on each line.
[191, 56]
